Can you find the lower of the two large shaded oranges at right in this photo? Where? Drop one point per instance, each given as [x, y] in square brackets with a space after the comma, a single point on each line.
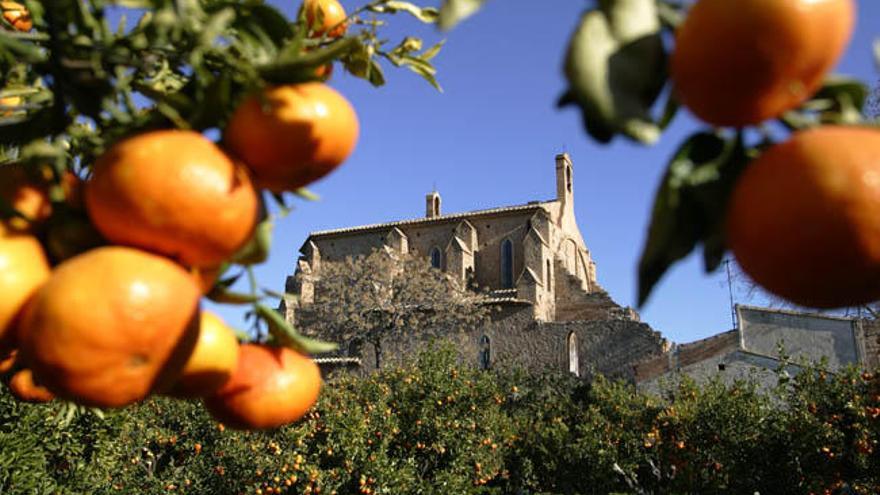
[804, 218]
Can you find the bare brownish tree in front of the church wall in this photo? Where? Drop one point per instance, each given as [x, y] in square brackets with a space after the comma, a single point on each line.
[385, 295]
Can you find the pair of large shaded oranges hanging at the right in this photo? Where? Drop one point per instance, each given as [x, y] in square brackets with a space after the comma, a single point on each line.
[804, 218]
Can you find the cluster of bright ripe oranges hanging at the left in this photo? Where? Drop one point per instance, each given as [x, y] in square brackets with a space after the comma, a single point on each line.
[119, 318]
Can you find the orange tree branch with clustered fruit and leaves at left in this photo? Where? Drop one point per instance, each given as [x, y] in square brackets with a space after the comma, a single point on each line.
[118, 213]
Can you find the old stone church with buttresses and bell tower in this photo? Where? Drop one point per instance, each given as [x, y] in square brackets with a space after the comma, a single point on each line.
[551, 311]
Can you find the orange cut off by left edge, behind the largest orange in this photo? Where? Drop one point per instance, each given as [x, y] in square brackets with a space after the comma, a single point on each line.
[23, 269]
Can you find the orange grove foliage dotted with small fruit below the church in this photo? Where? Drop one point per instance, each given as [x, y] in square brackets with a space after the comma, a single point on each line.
[434, 426]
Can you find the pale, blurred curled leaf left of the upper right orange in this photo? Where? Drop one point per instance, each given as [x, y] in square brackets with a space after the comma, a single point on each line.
[616, 67]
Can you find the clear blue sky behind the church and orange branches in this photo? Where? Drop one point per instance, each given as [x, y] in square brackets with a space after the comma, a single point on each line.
[489, 140]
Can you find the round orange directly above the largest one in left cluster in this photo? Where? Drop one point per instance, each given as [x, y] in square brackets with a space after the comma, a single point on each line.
[174, 193]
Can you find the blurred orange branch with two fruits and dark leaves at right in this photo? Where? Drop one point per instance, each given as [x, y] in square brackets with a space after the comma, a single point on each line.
[757, 73]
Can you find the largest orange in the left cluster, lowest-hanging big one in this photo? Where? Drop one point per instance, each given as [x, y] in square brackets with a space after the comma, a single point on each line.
[110, 326]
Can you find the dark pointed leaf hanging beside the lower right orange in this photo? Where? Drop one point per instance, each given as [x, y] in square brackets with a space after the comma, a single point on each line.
[689, 207]
